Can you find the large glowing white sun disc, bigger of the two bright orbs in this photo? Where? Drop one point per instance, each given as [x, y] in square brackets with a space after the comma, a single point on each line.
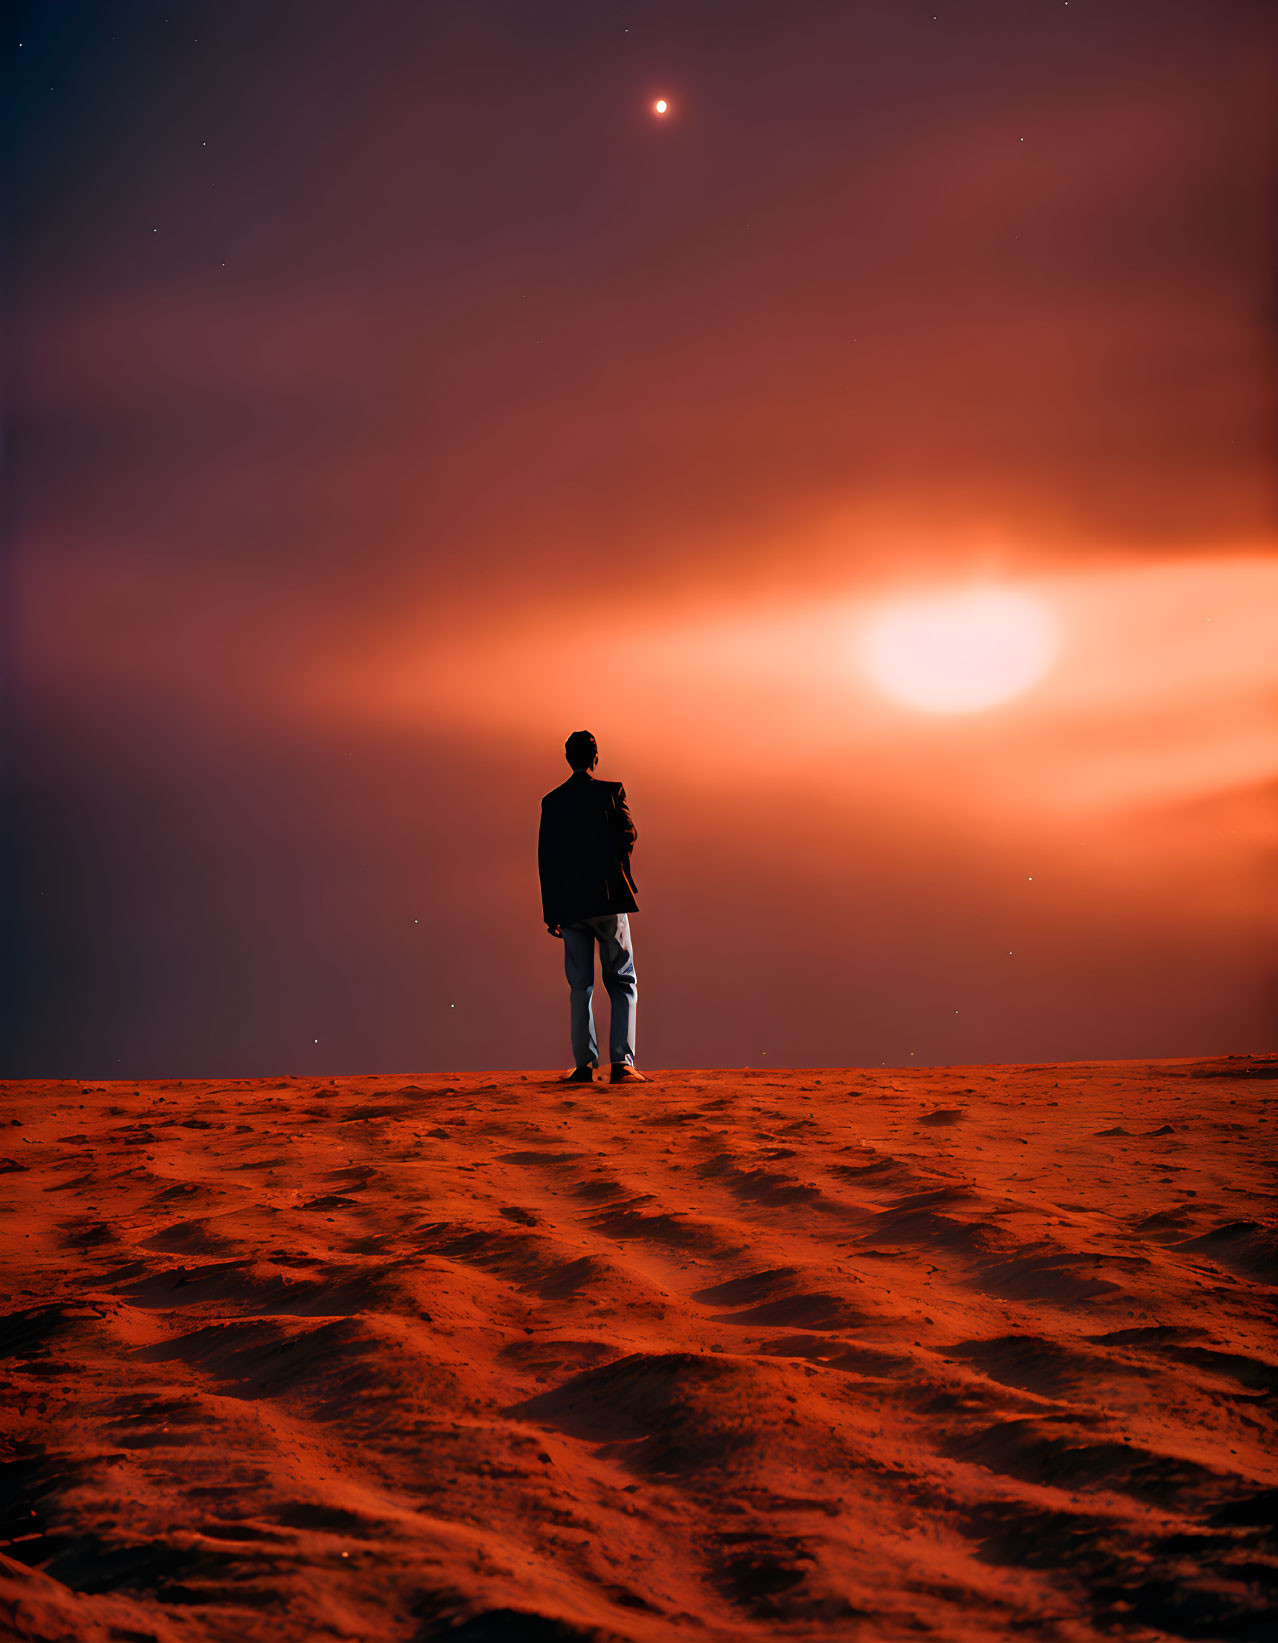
[960, 653]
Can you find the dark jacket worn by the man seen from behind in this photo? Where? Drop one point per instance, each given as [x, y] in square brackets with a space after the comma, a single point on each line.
[584, 852]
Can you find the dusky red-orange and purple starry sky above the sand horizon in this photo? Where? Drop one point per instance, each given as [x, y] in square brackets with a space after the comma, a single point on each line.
[392, 390]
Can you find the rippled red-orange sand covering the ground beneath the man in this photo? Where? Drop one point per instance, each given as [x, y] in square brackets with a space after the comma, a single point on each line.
[750, 1355]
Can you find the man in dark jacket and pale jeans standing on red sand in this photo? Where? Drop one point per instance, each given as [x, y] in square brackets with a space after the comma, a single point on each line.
[584, 857]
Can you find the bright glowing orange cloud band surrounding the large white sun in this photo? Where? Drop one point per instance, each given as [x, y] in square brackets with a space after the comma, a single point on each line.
[1164, 693]
